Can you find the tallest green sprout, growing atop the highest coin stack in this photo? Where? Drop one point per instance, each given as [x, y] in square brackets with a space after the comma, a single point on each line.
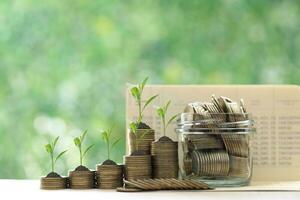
[137, 92]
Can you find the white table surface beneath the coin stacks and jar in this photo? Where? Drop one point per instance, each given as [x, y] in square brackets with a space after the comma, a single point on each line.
[20, 189]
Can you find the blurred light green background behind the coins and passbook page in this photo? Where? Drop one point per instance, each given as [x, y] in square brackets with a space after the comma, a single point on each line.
[64, 64]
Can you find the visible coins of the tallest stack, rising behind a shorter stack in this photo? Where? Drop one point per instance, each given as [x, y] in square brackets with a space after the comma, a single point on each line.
[141, 140]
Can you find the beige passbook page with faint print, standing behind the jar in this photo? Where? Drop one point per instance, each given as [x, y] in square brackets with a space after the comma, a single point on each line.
[276, 111]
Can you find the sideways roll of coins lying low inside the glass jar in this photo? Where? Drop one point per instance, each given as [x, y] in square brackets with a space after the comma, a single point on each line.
[210, 163]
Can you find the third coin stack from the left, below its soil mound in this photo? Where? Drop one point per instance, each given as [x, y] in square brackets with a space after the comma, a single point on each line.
[109, 176]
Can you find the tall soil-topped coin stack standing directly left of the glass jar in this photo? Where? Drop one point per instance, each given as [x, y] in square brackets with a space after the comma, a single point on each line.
[165, 158]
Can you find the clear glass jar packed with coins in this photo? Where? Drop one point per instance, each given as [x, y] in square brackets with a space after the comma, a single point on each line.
[215, 149]
